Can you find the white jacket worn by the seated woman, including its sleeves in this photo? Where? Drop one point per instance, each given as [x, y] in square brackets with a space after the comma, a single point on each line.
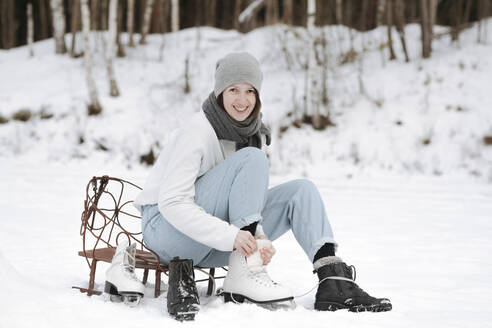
[190, 152]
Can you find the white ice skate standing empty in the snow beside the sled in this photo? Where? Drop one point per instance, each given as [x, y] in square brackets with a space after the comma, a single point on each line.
[121, 282]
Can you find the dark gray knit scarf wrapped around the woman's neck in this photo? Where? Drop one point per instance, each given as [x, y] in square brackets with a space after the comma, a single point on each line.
[246, 133]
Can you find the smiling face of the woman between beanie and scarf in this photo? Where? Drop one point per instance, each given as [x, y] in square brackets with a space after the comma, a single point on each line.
[239, 100]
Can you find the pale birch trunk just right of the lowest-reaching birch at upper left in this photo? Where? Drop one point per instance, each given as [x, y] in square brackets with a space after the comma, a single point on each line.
[110, 47]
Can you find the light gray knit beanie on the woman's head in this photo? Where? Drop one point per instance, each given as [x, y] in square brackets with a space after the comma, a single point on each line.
[237, 67]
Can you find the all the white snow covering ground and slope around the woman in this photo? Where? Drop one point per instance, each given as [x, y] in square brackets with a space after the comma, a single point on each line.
[405, 174]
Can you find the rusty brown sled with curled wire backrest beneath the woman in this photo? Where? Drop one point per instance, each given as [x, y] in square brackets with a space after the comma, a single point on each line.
[109, 218]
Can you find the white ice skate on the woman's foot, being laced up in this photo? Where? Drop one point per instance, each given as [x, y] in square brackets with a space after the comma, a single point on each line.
[248, 279]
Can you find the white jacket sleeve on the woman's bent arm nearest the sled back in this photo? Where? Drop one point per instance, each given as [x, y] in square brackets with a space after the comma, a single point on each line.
[176, 196]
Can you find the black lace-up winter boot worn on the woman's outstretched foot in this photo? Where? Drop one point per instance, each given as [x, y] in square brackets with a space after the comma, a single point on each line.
[338, 289]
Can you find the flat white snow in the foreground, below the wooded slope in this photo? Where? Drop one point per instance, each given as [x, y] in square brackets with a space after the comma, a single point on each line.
[422, 242]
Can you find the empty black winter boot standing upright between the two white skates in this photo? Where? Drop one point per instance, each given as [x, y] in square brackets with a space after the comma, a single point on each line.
[182, 296]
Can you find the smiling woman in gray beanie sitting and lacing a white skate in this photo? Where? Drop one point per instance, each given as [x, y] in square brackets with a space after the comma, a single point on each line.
[207, 199]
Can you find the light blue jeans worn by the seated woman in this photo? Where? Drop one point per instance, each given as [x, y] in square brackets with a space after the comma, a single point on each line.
[237, 191]
